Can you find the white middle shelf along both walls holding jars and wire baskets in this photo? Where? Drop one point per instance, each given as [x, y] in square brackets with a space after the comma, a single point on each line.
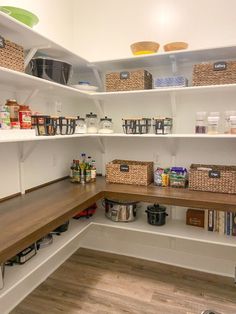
[13, 136]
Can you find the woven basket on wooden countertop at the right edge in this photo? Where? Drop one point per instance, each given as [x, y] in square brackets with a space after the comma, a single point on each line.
[221, 179]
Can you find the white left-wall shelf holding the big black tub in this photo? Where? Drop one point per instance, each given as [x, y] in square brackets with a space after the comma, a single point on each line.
[18, 81]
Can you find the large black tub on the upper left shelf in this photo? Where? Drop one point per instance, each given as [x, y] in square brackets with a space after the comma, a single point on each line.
[51, 69]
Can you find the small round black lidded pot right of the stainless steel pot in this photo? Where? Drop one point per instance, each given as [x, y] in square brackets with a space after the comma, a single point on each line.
[156, 214]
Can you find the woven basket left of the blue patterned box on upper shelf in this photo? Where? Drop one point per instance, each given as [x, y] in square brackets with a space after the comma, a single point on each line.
[126, 81]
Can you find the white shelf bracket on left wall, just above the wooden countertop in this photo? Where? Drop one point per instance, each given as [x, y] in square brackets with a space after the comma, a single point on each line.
[23, 155]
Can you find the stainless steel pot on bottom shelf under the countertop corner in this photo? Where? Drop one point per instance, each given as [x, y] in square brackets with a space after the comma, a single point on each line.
[120, 211]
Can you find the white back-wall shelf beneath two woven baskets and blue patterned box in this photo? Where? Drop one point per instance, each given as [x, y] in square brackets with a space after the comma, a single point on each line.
[193, 90]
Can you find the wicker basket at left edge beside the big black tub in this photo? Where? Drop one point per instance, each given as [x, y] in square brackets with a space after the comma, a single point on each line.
[11, 55]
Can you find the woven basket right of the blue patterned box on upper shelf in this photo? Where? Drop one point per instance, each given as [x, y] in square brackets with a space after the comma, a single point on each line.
[217, 73]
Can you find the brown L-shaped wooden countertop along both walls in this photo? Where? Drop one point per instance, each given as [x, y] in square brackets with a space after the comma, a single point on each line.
[25, 219]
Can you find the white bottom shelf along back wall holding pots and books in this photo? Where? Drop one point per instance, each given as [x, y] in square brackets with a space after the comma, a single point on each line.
[173, 228]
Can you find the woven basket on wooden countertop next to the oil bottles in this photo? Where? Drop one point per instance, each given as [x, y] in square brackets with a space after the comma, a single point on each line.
[129, 172]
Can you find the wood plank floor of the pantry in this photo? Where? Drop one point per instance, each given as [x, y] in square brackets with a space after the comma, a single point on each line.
[96, 282]
